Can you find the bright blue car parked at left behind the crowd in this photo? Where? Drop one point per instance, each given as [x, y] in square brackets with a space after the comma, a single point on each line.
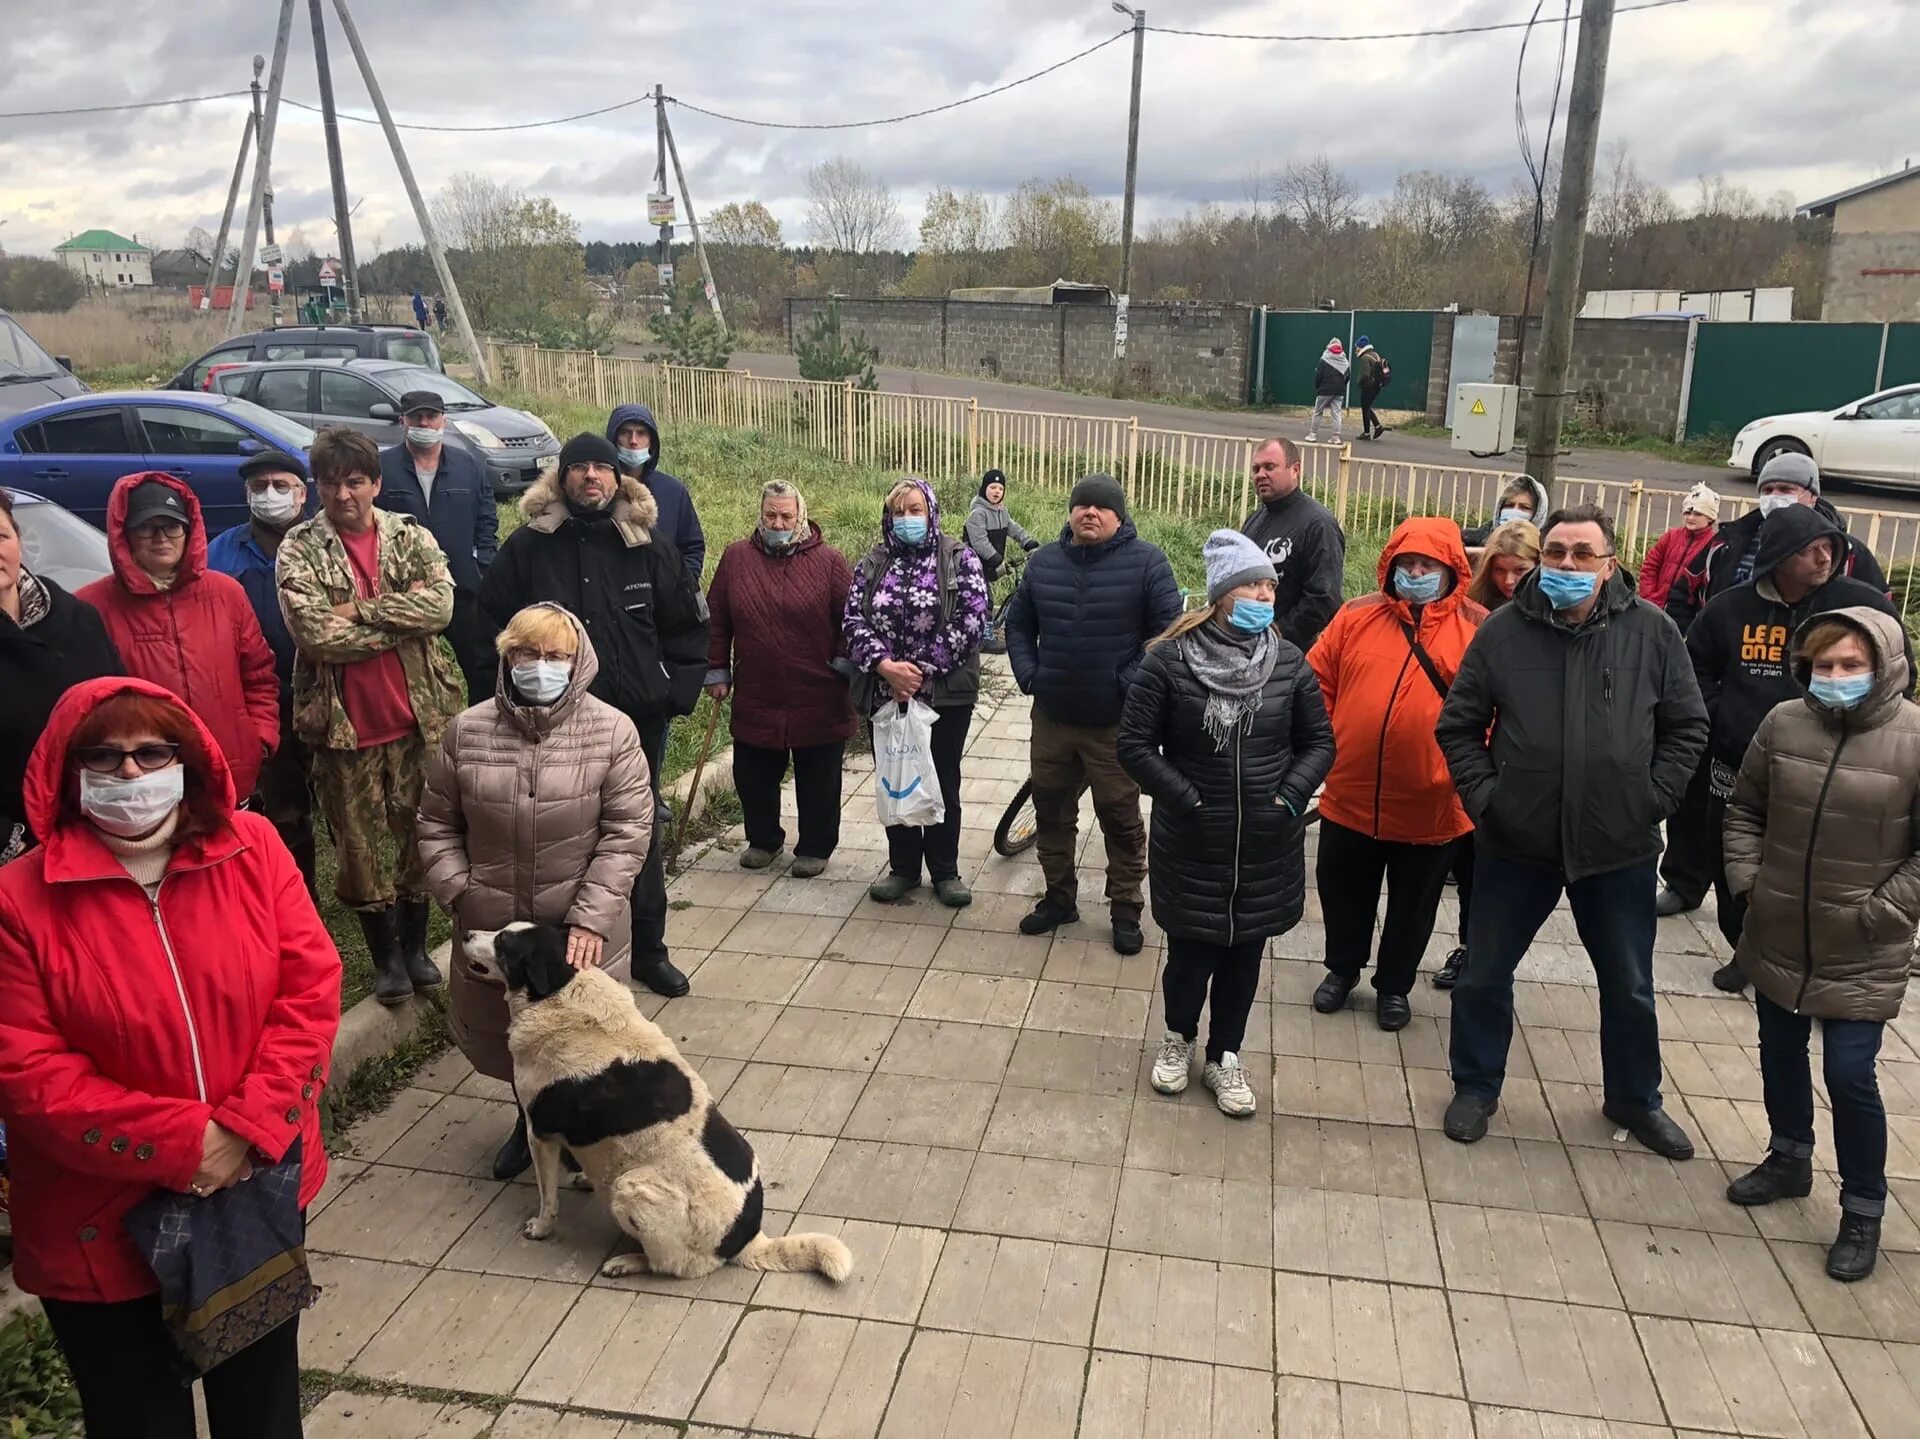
[74, 451]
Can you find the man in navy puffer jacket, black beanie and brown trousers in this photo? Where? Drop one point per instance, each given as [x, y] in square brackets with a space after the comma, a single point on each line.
[1076, 635]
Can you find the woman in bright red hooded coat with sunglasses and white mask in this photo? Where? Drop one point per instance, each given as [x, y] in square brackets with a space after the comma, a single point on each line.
[168, 1010]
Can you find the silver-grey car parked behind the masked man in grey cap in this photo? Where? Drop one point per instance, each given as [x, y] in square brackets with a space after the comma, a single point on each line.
[364, 395]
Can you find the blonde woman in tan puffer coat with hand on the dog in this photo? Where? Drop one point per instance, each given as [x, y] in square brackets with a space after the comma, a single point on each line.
[539, 806]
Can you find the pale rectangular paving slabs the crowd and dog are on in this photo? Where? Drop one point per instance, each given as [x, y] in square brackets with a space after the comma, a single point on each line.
[1044, 1246]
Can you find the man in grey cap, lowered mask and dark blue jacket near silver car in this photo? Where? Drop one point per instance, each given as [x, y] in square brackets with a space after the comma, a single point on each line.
[448, 491]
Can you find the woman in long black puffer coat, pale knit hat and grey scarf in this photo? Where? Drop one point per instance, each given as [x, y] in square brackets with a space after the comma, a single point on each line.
[1228, 733]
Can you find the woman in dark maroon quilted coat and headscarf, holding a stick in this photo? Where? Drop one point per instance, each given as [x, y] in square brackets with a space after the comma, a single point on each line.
[777, 614]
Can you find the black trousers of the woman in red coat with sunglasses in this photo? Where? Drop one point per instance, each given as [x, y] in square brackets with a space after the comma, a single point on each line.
[126, 1371]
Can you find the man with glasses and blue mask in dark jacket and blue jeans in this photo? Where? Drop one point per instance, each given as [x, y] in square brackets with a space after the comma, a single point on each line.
[1572, 733]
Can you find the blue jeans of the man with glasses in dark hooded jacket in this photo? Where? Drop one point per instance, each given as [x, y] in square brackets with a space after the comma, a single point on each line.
[1512, 900]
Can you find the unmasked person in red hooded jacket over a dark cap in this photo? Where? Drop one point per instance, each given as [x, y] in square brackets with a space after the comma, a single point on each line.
[185, 627]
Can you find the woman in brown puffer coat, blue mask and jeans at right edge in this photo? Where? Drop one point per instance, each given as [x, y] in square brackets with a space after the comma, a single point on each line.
[1823, 841]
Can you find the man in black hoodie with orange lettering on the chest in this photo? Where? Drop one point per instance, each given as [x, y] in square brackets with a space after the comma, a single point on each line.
[1742, 656]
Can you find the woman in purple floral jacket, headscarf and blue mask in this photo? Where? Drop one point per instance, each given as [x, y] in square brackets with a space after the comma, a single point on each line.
[915, 620]
